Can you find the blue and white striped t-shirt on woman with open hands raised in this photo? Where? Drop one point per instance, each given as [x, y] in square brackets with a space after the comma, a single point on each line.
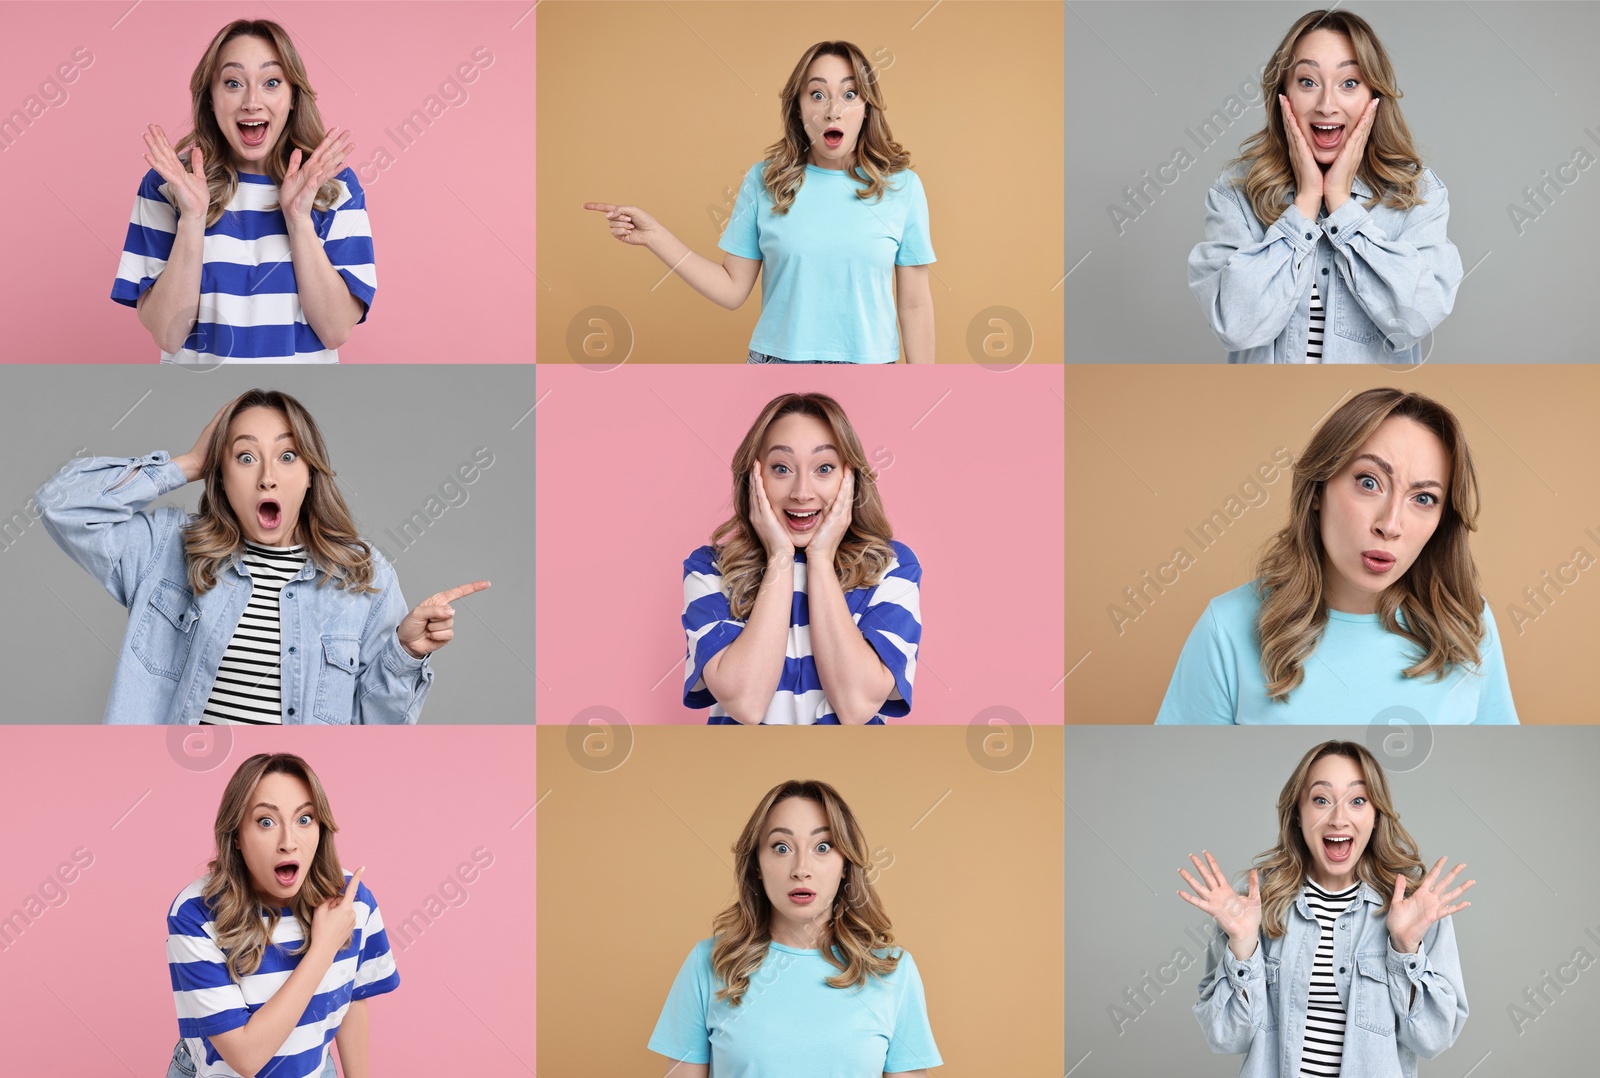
[250, 309]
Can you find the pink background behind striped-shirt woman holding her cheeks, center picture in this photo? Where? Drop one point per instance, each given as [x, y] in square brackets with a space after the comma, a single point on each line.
[634, 476]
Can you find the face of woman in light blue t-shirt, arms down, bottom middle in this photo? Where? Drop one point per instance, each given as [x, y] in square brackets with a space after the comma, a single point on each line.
[801, 871]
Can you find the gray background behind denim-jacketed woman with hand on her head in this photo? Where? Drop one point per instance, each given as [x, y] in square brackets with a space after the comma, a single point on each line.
[394, 436]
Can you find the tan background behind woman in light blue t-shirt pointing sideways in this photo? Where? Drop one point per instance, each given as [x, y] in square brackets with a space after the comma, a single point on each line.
[666, 108]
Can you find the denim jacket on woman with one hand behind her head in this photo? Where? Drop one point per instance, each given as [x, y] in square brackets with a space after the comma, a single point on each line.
[342, 658]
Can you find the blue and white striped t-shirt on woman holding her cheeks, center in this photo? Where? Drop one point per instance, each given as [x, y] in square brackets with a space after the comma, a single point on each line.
[889, 615]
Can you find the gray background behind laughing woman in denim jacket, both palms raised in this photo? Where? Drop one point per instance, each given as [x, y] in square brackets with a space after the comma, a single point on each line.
[1516, 805]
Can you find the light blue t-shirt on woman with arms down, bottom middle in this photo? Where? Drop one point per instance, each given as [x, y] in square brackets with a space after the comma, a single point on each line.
[791, 1024]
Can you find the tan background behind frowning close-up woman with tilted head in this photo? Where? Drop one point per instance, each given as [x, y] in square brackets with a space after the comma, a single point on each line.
[1156, 450]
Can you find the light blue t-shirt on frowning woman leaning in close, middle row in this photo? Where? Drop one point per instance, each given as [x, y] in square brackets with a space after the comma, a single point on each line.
[1353, 677]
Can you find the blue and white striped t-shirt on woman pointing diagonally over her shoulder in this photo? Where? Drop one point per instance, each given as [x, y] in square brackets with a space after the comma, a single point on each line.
[210, 1004]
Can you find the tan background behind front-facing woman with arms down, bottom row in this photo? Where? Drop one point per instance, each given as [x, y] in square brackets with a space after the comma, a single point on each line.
[634, 863]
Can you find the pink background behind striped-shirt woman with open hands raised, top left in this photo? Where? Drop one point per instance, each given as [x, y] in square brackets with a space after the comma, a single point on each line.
[455, 271]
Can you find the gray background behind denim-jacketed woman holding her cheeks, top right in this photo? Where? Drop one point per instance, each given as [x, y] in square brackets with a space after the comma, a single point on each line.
[1495, 95]
